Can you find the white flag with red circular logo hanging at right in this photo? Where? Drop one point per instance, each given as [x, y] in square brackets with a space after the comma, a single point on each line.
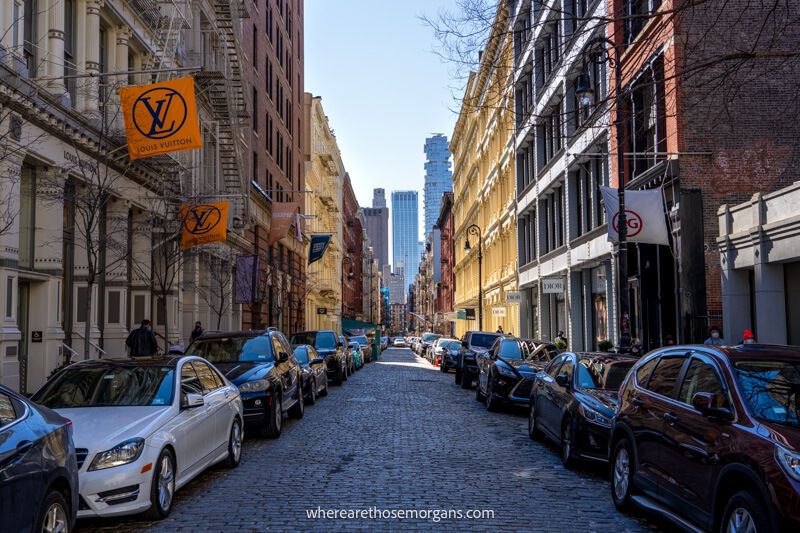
[644, 213]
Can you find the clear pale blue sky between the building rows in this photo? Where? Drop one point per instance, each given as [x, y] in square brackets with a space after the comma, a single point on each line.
[382, 88]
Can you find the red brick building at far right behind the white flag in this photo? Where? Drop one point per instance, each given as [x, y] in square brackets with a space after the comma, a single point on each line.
[707, 129]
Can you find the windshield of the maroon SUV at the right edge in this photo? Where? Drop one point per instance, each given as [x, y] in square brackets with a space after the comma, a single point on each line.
[771, 390]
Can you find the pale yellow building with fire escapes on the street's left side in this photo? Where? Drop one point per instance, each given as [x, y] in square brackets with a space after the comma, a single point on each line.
[323, 209]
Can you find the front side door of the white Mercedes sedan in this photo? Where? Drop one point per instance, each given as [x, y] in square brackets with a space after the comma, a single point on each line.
[192, 425]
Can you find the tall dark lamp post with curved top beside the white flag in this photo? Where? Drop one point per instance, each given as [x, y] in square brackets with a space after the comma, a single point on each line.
[585, 94]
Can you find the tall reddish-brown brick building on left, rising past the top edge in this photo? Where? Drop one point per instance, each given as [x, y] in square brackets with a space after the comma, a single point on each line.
[273, 47]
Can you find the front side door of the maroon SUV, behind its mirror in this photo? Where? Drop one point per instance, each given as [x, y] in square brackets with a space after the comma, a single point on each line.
[693, 440]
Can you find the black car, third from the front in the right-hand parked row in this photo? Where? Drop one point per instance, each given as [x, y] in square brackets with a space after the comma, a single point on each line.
[508, 369]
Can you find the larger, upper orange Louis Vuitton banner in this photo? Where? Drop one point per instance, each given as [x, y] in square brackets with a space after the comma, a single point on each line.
[160, 118]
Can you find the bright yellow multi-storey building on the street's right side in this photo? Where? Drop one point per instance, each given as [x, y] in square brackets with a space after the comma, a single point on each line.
[484, 187]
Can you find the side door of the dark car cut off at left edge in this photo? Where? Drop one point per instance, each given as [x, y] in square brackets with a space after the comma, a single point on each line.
[20, 466]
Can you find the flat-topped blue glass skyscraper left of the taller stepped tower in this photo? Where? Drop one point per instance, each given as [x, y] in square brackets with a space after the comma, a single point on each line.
[405, 233]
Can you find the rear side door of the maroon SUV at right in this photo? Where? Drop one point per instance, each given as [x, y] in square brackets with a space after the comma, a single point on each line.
[653, 400]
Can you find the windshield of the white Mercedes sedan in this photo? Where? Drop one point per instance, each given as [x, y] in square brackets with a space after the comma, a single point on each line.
[109, 386]
